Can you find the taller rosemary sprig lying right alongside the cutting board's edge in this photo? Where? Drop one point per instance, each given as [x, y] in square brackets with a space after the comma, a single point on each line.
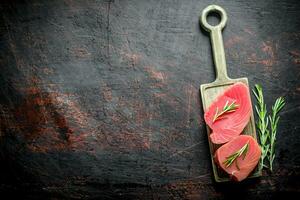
[262, 124]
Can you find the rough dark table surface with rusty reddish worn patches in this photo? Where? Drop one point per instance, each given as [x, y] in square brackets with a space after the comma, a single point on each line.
[100, 99]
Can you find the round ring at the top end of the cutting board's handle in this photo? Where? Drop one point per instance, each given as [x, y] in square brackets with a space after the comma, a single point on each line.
[213, 10]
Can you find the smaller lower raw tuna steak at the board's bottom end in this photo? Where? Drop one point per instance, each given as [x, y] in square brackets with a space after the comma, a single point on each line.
[244, 163]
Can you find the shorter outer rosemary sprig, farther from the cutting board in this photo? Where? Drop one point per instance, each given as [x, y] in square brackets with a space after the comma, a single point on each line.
[274, 118]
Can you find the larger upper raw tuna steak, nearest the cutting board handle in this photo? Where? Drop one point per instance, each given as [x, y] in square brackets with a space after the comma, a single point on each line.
[230, 124]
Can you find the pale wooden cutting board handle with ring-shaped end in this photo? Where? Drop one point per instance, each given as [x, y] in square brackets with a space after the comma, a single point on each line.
[216, 40]
